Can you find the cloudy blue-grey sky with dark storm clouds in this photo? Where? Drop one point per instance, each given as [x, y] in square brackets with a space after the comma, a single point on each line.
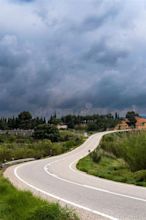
[72, 56]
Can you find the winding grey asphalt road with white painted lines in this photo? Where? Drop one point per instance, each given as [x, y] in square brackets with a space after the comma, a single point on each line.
[58, 177]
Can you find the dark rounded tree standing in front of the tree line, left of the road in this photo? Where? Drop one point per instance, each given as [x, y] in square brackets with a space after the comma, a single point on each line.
[46, 131]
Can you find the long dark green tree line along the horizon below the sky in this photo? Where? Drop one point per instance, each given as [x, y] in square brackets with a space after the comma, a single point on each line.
[95, 122]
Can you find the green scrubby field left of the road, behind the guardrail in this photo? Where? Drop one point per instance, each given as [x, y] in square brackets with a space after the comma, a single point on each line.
[18, 147]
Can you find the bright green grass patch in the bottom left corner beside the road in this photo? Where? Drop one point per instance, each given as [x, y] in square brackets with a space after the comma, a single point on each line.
[22, 205]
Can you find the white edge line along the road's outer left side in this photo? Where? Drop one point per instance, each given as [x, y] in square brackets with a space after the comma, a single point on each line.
[59, 198]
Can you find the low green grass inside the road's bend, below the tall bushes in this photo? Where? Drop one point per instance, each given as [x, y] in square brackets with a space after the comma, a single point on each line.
[112, 169]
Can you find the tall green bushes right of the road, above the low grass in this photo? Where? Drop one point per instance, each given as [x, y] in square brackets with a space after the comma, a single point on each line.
[131, 146]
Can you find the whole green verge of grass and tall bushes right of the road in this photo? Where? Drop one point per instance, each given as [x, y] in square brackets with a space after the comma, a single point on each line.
[120, 157]
